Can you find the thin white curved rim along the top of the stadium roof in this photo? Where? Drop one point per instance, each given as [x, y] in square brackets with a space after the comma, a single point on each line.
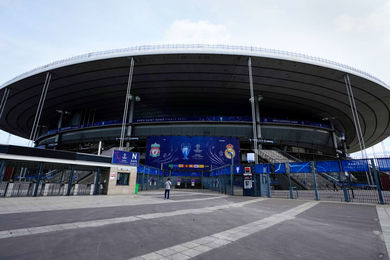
[197, 49]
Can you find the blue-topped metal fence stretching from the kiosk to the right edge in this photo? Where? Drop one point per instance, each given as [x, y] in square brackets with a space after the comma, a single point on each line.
[365, 181]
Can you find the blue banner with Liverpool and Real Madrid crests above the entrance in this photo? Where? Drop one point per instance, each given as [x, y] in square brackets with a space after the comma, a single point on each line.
[191, 153]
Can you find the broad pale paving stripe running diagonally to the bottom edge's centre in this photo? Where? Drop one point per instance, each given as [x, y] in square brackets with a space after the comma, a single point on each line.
[208, 243]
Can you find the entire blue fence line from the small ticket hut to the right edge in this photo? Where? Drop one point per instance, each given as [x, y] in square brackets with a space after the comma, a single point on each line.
[363, 180]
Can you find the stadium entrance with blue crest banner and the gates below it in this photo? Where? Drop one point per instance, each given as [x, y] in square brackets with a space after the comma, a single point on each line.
[195, 162]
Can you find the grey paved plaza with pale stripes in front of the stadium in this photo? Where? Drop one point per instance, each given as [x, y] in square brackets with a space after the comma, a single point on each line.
[191, 225]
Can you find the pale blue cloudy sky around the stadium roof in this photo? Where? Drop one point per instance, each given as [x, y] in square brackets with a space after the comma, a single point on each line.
[34, 33]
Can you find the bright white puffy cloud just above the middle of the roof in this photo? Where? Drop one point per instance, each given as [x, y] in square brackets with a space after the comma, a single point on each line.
[186, 31]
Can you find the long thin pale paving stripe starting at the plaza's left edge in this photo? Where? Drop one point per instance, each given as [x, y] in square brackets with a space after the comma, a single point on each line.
[103, 222]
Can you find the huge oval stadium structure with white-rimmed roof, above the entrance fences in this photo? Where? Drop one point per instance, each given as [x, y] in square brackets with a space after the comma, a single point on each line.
[263, 99]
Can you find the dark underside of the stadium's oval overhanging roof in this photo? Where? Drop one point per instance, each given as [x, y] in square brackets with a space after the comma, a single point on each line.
[189, 83]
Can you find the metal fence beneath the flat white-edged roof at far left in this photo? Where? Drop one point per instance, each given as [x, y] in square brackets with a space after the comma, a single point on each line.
[29, 178]
